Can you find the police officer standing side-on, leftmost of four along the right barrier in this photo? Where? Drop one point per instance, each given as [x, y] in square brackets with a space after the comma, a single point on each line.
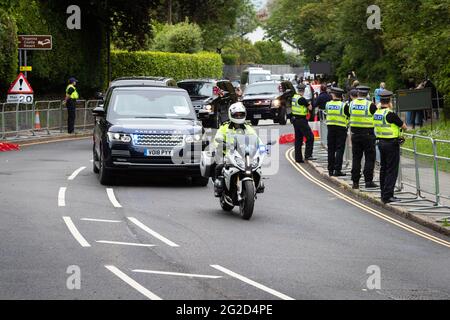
[300, 109]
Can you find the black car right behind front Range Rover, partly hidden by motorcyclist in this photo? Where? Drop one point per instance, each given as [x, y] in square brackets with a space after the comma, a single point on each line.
[211, 99]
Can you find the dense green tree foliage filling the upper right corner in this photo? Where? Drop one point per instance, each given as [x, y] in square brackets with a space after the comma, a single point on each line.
[413, 40]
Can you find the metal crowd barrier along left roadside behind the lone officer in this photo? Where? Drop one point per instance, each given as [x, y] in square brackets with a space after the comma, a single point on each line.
[42, 116]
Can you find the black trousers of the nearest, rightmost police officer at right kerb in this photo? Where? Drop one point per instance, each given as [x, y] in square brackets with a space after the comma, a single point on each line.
[390, 160]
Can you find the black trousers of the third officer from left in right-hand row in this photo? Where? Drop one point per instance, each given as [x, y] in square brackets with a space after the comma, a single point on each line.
[363, 144]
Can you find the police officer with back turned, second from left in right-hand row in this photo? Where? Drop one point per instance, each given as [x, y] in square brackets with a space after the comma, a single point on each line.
[337, 123]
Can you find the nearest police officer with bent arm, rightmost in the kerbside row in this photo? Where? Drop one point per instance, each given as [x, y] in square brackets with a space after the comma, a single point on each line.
[388, 127]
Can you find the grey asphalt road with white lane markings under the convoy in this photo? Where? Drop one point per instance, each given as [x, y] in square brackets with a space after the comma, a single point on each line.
[170, 240]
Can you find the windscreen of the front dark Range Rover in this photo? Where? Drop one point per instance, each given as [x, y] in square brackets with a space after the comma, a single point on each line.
[126, 103]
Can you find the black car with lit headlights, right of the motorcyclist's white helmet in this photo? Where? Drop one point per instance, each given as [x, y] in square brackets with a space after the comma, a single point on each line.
[268, 100]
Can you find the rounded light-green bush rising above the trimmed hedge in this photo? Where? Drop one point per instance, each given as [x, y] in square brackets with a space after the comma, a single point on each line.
[182, 37]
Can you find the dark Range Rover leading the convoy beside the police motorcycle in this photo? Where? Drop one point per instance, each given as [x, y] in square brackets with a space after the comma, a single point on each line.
[146, 125]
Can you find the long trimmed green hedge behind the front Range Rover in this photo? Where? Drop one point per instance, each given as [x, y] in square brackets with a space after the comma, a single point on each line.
[164, 64]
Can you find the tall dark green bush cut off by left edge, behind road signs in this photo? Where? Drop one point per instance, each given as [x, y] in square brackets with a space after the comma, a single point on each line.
[8, 49]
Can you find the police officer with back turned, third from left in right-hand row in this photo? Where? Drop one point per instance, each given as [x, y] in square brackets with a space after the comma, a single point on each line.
[361, 111]
